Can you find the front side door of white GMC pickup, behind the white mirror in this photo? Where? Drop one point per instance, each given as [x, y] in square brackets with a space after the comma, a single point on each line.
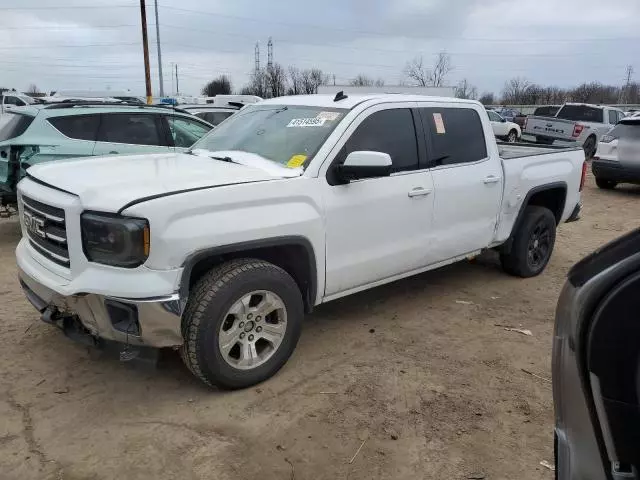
[378, 228]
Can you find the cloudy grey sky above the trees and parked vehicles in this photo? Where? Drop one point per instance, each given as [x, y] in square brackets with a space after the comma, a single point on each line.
[96, 45]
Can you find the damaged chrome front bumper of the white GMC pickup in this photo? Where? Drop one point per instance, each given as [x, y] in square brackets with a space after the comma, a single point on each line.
[151, 322]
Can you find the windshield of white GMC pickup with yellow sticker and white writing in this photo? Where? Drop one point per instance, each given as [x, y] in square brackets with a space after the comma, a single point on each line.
[287, 134]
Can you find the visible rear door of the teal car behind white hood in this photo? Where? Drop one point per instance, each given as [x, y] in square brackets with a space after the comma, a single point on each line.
[131, 133]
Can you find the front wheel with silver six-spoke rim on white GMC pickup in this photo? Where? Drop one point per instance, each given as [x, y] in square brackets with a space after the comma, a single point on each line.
[215, 311]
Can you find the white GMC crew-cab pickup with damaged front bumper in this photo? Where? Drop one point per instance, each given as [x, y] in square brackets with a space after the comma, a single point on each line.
[288, 204]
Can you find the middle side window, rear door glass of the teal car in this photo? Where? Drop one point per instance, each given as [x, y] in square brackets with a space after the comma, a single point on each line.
[131, 128]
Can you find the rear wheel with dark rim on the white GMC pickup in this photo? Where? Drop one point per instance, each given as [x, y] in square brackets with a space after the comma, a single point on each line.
[536, 233]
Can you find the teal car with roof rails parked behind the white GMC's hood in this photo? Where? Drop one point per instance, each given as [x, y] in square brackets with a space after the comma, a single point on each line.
[45, 133]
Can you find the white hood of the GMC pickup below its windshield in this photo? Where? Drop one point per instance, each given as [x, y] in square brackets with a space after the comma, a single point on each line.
[108, 183]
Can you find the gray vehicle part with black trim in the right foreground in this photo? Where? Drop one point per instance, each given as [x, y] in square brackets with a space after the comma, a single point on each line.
[596, 366]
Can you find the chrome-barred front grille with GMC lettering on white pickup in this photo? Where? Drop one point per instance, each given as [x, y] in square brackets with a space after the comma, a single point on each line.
[46, 228]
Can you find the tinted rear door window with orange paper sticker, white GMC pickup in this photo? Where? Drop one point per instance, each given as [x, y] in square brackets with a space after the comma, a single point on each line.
[454, 135]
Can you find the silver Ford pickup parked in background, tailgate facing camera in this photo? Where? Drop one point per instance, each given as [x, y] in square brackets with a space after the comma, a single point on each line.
[578, 122]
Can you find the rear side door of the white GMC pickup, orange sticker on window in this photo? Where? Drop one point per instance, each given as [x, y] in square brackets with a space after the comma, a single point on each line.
[467, 181]
